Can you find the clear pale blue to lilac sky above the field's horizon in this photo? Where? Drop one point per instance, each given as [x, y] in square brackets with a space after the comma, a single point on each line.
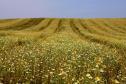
[62, 8]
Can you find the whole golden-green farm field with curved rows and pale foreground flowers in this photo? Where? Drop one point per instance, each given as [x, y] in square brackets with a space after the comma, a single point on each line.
[63, 51]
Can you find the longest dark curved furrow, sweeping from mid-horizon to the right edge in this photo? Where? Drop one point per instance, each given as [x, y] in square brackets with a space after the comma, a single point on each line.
[112, 43]
